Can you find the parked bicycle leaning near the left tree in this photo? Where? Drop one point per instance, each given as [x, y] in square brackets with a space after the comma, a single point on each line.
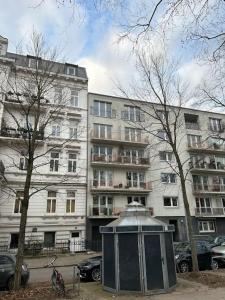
[57, 280]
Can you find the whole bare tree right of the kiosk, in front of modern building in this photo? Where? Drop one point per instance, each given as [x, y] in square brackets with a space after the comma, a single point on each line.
[165, 96]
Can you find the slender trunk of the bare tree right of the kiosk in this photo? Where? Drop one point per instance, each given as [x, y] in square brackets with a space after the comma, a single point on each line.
[188, 218]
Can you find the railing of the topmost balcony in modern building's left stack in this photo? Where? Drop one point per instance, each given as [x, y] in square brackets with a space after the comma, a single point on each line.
[121, 137]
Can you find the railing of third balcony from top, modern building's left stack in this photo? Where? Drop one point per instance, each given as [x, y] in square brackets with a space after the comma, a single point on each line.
[120, 186]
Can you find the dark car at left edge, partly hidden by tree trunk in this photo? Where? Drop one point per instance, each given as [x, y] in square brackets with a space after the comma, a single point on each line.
[7, 271]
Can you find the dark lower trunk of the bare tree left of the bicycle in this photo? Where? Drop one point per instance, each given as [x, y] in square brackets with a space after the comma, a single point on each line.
[23, 222]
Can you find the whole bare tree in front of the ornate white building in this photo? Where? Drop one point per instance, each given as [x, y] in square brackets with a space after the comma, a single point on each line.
[28, 85]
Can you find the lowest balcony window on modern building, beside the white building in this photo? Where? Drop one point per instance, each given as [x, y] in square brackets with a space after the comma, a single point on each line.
[102, 205]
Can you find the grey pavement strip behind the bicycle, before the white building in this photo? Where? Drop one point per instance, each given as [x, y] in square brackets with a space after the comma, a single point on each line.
[62, 260]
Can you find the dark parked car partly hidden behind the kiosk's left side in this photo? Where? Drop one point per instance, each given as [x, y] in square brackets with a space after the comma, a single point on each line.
[90, 269]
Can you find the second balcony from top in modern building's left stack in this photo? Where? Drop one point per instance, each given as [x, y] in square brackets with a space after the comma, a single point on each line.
[120, 161]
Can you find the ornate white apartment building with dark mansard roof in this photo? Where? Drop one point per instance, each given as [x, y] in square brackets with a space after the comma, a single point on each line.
[57, 211]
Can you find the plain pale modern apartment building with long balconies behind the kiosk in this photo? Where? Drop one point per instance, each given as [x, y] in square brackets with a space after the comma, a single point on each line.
[126, 163]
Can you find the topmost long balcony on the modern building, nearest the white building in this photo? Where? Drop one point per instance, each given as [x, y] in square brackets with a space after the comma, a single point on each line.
[120, 138]
